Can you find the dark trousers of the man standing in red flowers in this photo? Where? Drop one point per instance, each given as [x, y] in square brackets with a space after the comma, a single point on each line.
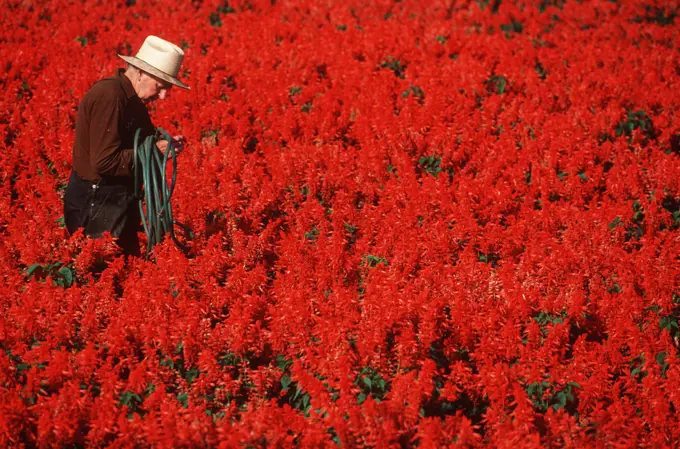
[109, 205]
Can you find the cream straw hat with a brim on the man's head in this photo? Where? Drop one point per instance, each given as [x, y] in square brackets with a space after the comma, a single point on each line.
[160, 58]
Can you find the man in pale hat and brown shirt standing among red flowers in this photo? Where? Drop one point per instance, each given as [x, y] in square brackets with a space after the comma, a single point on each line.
[100, 193]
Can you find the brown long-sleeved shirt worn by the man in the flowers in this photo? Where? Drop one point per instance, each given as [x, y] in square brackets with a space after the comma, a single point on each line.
[108, 118]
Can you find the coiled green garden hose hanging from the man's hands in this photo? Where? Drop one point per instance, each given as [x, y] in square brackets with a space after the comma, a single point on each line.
[153, 190]
